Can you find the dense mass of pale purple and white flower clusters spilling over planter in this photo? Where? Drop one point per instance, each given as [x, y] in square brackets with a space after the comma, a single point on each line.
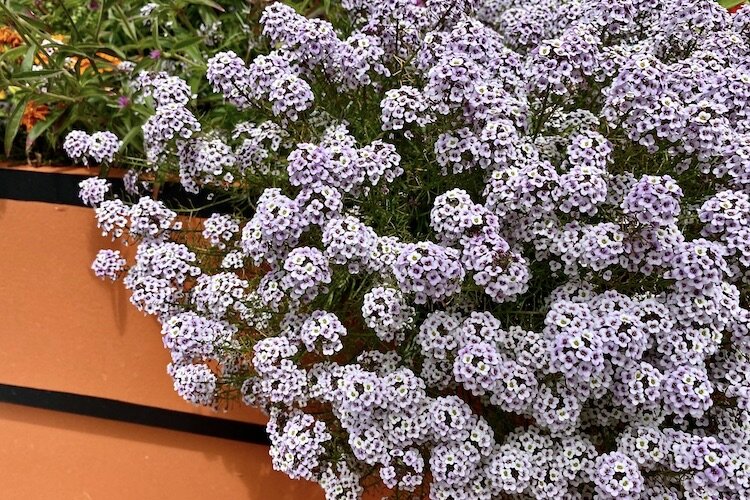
[485, 249]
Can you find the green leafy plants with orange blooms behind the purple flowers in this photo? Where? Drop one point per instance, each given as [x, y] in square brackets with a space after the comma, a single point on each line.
[70, 64]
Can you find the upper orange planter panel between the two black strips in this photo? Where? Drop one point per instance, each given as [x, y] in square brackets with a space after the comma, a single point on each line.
[64, 329]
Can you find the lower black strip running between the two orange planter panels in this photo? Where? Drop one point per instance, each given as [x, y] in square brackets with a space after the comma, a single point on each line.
[120, 411]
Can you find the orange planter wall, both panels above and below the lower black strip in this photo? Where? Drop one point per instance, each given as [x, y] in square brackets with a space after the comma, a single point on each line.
[62, 329]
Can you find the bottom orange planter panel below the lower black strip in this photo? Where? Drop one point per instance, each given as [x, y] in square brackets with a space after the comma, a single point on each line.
[47, 455]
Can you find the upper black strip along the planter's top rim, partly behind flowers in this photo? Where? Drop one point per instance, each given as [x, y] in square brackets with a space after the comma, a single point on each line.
[62, 189]
